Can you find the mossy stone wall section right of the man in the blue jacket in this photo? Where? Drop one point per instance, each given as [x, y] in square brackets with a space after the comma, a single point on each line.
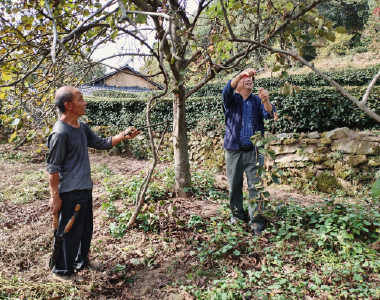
[336, 160]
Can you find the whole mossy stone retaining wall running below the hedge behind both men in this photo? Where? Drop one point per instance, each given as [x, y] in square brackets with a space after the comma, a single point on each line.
[336, 160]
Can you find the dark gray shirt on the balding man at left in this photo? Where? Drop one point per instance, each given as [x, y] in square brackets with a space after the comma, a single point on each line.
[69, 154]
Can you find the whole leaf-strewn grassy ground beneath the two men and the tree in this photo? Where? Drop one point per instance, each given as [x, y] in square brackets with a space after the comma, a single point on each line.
[185, 248]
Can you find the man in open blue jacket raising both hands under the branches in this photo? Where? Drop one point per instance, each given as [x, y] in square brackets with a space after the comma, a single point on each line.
[244, 115]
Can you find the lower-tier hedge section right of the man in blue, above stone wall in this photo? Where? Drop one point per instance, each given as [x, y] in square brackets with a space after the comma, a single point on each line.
[323, 109]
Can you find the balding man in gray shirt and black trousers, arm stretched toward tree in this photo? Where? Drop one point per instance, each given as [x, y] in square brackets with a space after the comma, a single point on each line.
[70, 179]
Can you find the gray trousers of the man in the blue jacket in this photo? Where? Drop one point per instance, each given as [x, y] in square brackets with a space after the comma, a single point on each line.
[238, 163]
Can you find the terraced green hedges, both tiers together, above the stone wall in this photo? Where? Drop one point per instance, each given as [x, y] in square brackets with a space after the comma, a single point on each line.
[316, 107]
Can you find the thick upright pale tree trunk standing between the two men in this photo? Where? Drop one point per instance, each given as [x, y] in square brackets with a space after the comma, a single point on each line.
[180, 145]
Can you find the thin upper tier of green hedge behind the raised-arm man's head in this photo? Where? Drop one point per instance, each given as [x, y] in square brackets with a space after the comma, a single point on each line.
[355, 77]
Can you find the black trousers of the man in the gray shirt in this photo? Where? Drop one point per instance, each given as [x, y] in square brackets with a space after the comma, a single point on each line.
[73, 253]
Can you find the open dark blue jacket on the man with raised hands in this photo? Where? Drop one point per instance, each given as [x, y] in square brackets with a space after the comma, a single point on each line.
[233, 112]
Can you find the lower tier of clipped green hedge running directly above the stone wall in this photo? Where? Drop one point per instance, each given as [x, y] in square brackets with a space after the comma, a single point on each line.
[321, 109]
